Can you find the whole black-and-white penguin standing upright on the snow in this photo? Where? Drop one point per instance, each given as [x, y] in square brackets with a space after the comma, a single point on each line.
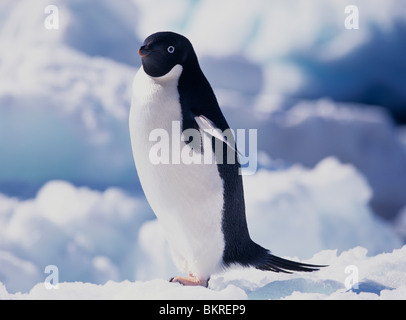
[199, 205]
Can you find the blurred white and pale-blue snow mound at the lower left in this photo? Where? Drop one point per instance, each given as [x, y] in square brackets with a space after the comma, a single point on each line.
[90, 235]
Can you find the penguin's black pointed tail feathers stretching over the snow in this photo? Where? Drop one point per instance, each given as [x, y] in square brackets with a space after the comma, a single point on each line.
[277, 264]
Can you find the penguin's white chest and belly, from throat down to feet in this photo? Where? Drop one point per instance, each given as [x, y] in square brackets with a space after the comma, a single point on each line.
[187, 198]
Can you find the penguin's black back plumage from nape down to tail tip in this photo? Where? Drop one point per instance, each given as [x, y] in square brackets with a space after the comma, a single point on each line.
[197, 98]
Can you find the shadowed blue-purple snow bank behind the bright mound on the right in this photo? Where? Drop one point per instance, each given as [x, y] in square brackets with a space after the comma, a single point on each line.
[309, 131]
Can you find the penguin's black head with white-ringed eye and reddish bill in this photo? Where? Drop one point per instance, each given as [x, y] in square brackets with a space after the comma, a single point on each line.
[162, 51]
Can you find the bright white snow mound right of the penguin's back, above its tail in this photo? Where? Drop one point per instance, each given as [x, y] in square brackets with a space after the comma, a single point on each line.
[325, 208]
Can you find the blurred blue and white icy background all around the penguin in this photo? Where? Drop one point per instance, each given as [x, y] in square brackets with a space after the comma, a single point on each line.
[329, 105]
